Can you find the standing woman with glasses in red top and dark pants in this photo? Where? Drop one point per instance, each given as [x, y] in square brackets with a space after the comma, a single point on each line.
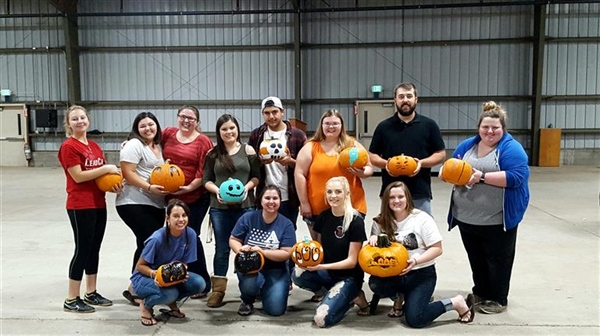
[186, 147]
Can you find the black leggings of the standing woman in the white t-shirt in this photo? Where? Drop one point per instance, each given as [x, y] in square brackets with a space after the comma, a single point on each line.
[143, 220]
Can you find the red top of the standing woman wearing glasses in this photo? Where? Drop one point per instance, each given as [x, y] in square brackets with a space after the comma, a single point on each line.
[189, 157]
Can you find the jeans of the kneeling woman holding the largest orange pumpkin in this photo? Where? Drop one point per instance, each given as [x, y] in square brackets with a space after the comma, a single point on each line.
[417, 287]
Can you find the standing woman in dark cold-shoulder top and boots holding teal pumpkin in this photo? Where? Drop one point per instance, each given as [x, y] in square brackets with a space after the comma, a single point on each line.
[228, 159]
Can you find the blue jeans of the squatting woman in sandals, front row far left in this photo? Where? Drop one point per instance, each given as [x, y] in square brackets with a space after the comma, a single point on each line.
[154, 295]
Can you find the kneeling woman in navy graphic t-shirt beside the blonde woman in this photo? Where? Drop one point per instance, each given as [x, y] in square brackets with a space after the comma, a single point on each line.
[273, 235]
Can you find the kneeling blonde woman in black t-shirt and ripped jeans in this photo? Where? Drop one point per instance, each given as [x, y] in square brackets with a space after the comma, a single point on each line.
[339, 278]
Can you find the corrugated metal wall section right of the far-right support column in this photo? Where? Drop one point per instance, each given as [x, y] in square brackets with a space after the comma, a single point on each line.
[573, 68]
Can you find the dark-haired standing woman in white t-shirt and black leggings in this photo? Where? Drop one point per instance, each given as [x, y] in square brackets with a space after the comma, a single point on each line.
[141, 205]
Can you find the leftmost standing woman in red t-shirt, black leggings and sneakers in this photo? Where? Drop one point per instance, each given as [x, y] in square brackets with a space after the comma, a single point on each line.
[83, 161]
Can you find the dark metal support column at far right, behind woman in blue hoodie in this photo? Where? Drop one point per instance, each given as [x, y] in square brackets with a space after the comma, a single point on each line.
[539, 35]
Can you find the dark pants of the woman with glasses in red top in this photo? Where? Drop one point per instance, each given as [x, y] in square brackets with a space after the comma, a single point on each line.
[198, 210]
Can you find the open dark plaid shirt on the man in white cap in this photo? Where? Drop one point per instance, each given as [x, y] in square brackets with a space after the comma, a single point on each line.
[295, 140]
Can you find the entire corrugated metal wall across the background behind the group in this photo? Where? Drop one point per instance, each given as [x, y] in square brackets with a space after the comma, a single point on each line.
[388, 47]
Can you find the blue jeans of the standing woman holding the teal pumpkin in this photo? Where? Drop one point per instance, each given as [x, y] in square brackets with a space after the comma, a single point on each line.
[223, 222]
